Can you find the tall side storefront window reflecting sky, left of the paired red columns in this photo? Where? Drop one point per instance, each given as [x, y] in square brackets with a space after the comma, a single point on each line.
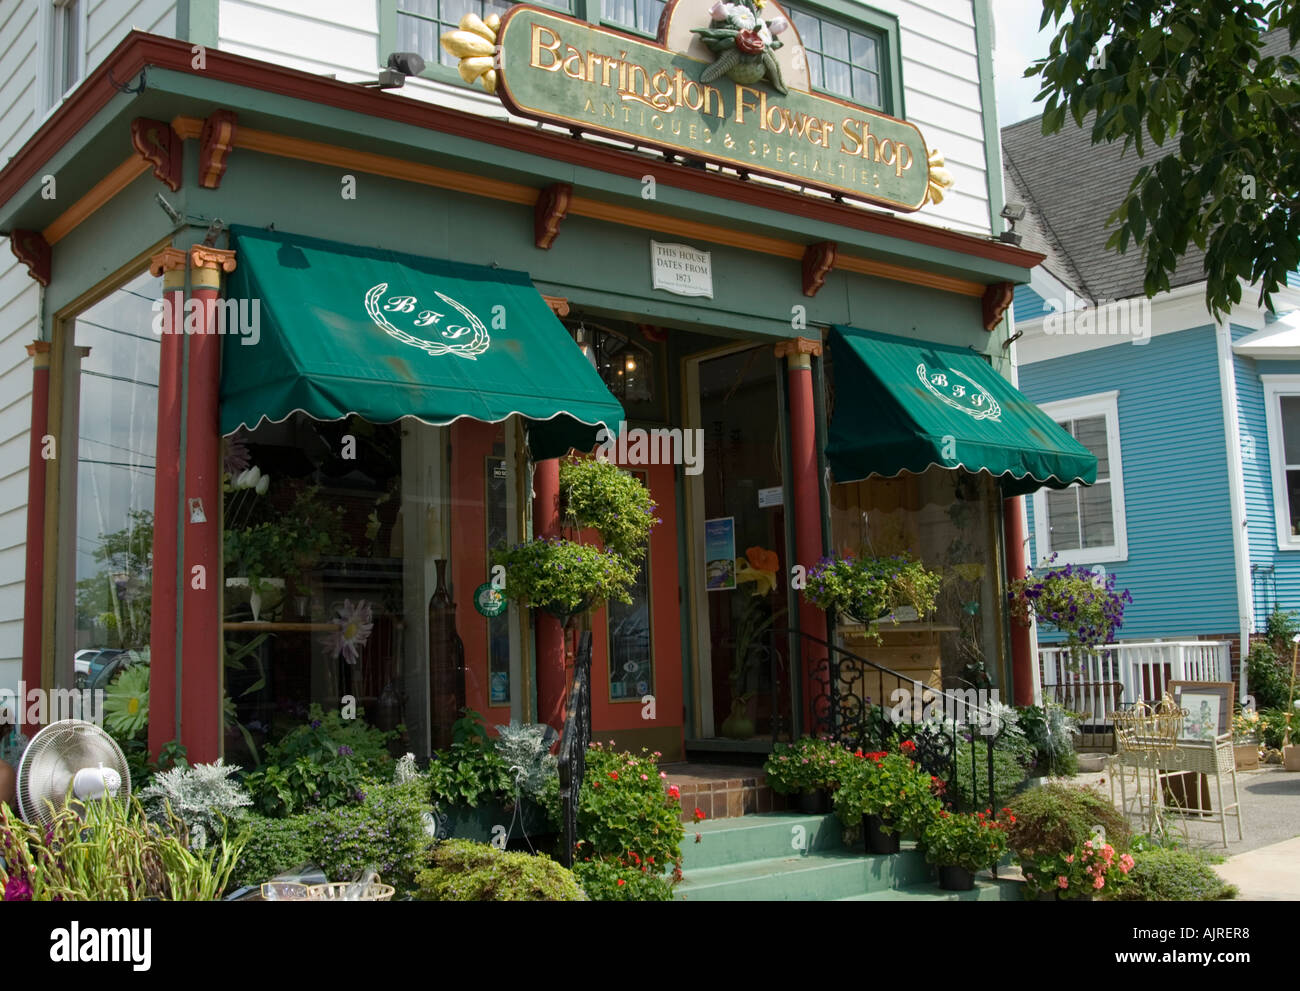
[116, 443]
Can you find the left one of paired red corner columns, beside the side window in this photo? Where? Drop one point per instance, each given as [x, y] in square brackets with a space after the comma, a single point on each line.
[171, 265]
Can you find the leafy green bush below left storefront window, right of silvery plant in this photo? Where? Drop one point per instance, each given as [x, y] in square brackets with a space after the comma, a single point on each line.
[323, 764]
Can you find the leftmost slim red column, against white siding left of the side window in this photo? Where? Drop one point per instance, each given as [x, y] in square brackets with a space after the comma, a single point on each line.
[33, 592]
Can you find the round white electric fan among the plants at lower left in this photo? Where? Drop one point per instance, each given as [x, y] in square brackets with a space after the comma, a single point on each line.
[70, 761]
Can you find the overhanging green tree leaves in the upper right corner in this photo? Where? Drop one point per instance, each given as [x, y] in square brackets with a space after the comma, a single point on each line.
[1189, 77]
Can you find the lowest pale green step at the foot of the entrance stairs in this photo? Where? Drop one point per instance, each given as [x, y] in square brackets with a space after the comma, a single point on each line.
[818, 876]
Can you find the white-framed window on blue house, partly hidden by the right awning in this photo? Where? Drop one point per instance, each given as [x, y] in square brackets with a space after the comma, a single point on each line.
[1085, 525]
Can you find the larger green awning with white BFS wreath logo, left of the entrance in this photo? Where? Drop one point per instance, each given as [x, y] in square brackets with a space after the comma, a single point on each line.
[349, 330]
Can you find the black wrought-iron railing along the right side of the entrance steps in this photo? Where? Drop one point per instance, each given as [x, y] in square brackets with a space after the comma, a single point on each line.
[861, 704]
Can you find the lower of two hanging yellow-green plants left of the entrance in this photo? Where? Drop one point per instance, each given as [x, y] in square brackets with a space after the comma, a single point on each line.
[565, 577]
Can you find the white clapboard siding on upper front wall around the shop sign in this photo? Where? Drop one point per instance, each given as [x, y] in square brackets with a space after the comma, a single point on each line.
[941, 73]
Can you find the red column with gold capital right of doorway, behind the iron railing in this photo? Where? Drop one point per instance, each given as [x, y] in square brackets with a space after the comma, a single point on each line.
[808, 508]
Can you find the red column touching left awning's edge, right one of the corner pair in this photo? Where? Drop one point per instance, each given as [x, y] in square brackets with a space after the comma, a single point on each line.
[201, 643]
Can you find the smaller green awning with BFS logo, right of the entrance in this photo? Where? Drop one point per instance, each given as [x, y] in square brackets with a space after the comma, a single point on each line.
[905, 406]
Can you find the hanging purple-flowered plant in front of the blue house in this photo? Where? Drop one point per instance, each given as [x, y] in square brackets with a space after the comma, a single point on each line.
[1073, 600]
